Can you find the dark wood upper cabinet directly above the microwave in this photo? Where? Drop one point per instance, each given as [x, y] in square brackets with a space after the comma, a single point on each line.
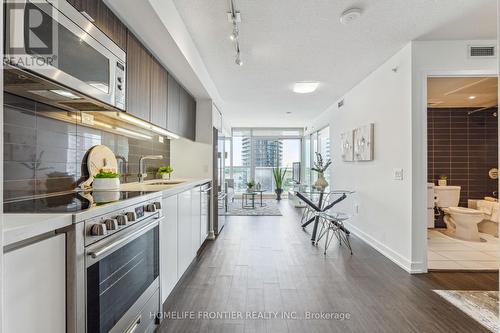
[104, 19]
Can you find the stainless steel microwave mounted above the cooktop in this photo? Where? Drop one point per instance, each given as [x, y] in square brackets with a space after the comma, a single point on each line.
[54, 54]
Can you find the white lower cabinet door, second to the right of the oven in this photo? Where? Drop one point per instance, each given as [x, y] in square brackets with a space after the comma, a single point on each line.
[185, 252]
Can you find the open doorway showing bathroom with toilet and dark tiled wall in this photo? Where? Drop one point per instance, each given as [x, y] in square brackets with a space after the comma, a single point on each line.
[462, 174]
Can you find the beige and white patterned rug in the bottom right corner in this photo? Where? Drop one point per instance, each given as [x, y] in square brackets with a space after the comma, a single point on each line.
[479, 305]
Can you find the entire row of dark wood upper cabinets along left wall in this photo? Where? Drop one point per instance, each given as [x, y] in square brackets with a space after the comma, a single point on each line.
[153, 94]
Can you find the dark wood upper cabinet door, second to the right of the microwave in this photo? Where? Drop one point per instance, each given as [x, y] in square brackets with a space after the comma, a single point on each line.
[159, 95]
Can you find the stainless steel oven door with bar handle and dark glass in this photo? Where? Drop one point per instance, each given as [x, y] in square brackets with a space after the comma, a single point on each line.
[121, 276]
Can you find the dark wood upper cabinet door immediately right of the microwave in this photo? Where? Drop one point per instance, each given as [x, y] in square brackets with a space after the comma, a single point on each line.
[139, 63]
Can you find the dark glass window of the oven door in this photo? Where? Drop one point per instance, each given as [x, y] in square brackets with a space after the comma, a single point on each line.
[119, 279]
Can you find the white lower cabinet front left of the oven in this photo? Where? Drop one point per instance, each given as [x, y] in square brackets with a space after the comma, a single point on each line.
[35, 287]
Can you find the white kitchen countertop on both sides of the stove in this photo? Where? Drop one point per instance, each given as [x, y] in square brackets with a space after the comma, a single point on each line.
[19, 227]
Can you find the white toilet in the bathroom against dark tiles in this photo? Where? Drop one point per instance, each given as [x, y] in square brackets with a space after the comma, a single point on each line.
[461, 222]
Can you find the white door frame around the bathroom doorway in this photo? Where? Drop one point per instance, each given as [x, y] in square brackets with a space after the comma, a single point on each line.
[421, 190]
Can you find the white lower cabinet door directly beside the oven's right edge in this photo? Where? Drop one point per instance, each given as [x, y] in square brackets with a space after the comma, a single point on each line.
[168, 247]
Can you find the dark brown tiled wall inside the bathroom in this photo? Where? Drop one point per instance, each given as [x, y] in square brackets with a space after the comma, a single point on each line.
[464, 148]
